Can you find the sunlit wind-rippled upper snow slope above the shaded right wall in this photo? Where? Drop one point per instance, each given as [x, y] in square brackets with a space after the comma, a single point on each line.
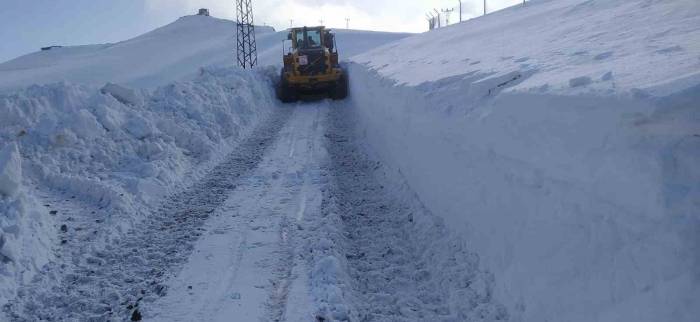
[641, 43]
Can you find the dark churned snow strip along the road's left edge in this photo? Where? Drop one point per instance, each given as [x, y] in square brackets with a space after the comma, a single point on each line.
[111, 284]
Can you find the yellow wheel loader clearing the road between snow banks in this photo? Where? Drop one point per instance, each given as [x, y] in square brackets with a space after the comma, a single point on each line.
[311, 66]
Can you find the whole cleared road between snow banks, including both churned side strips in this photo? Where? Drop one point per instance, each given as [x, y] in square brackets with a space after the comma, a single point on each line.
[298, 224]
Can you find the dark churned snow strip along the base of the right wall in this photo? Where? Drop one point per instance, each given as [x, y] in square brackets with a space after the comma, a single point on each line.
[392, 259]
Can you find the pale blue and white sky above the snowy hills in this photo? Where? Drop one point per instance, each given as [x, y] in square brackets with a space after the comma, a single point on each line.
[27, 25]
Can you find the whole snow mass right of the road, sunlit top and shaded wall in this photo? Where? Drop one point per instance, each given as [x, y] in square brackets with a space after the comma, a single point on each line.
[562, 141]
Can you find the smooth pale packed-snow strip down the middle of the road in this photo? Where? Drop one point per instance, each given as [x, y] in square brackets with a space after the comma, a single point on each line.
[245, 266]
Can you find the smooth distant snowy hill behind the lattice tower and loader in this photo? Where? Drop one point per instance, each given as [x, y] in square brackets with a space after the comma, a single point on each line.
[166, 54]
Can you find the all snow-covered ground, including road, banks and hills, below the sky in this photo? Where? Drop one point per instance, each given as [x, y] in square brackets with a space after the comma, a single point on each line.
[536, 164]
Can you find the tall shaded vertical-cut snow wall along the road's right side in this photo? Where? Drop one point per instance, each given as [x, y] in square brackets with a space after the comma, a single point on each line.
[584, 207]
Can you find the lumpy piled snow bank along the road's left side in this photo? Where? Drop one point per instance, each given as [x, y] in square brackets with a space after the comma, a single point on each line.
[112, 148]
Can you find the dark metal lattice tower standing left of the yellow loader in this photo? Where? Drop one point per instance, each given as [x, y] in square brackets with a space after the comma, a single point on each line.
[246, 49]
